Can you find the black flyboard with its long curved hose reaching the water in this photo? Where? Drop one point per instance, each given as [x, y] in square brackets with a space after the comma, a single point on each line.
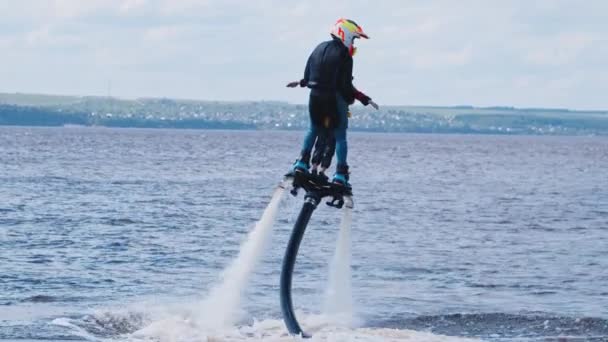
[316, 188]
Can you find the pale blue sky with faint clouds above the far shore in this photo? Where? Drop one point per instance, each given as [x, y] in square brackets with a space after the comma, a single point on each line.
[549, 53]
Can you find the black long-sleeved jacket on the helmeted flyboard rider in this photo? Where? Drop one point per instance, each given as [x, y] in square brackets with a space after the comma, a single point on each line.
[330, 69]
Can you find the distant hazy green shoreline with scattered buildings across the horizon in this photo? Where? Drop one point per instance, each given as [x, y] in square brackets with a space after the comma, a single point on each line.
[45, 111]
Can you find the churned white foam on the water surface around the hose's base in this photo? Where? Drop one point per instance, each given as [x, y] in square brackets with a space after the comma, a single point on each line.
[177, 326]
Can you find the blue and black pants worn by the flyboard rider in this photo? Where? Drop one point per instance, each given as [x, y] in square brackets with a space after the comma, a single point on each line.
[339, 132]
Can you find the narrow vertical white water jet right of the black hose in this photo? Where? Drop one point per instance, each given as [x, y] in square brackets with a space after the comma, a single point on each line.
[338, 304]
